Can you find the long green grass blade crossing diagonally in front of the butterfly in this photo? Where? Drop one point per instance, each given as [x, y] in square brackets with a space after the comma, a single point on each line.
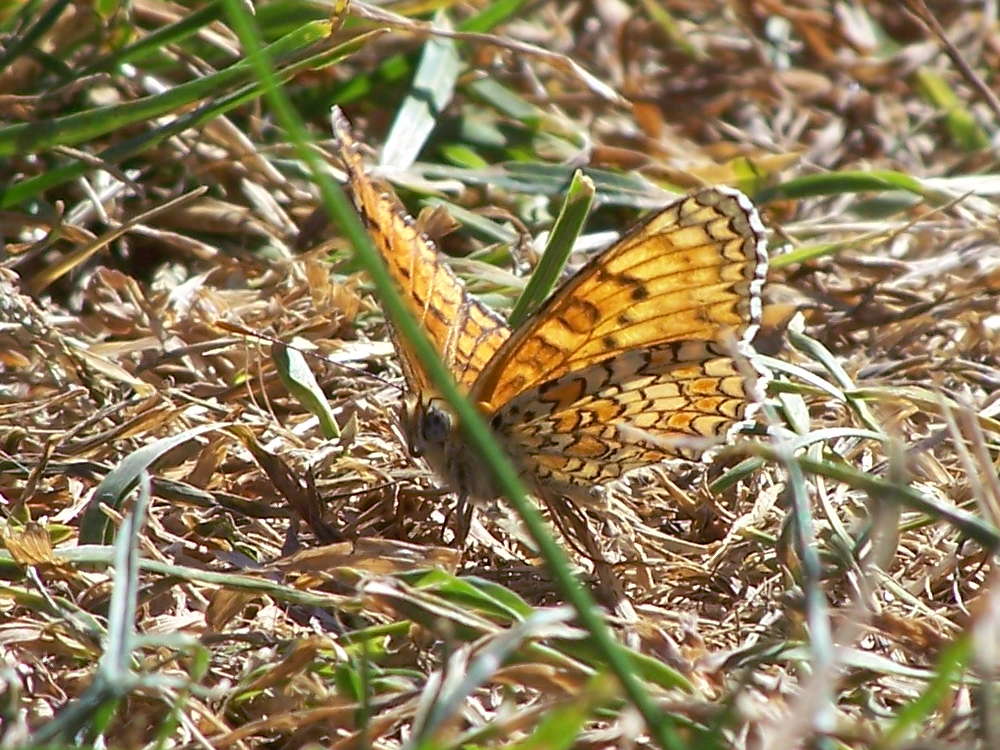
[660, 724]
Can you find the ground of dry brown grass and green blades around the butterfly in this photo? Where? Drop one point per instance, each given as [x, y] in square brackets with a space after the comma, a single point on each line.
[207, 548]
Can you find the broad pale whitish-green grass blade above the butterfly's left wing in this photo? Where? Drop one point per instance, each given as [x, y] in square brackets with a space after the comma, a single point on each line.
[433, 86]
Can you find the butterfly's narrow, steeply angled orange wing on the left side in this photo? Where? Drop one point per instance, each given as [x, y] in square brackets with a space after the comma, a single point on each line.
[464, 331]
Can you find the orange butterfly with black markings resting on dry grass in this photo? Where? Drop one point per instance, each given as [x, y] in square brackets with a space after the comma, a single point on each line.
[637, 358]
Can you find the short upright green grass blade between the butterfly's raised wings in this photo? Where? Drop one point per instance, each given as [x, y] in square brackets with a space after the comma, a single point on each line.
[567, 228]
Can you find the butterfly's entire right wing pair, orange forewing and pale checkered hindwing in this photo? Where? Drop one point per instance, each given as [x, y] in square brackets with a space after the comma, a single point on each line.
[642, 356]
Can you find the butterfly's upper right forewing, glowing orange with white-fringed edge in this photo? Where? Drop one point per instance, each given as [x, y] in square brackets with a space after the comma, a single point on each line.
[692, 272]
